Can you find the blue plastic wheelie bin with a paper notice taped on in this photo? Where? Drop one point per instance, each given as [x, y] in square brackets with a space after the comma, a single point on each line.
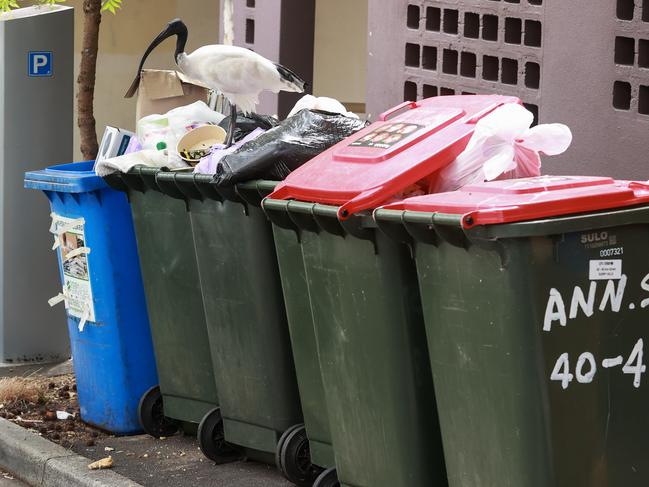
[100, 274]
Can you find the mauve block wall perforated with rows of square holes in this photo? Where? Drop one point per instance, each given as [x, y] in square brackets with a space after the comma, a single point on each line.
[578, 62]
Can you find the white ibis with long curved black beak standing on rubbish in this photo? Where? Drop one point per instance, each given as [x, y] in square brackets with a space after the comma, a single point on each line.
[239, 73]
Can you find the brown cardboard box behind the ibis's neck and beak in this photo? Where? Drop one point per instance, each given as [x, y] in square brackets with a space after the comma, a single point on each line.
[161, 90]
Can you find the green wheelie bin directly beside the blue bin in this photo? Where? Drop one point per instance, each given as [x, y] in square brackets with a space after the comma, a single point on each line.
[187, 390]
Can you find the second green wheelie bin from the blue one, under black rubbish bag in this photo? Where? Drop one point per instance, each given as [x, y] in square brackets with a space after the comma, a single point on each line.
[248, 334]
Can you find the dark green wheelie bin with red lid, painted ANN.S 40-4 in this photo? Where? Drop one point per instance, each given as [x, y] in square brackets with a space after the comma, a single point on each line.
[535, 294]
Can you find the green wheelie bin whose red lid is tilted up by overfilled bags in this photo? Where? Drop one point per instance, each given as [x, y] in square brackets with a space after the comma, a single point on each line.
[367, 320]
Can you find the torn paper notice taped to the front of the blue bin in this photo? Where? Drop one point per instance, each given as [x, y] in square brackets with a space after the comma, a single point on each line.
[73, 255]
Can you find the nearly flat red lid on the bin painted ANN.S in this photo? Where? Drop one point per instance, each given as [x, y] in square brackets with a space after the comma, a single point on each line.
[529, 199]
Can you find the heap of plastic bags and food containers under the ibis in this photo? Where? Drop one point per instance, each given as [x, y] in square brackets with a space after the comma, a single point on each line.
[190, 136]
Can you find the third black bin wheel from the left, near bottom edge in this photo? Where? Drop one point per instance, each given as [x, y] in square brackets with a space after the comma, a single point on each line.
[295, 458]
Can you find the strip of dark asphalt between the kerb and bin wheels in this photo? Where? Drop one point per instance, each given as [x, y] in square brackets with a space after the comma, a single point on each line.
[177, 462]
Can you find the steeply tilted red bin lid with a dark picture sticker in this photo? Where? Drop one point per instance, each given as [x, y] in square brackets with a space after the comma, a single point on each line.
[366, 169]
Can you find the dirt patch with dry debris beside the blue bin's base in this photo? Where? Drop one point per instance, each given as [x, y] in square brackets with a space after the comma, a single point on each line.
[33, 403]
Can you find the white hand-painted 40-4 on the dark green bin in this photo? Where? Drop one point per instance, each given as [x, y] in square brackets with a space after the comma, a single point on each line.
[586, 367]
